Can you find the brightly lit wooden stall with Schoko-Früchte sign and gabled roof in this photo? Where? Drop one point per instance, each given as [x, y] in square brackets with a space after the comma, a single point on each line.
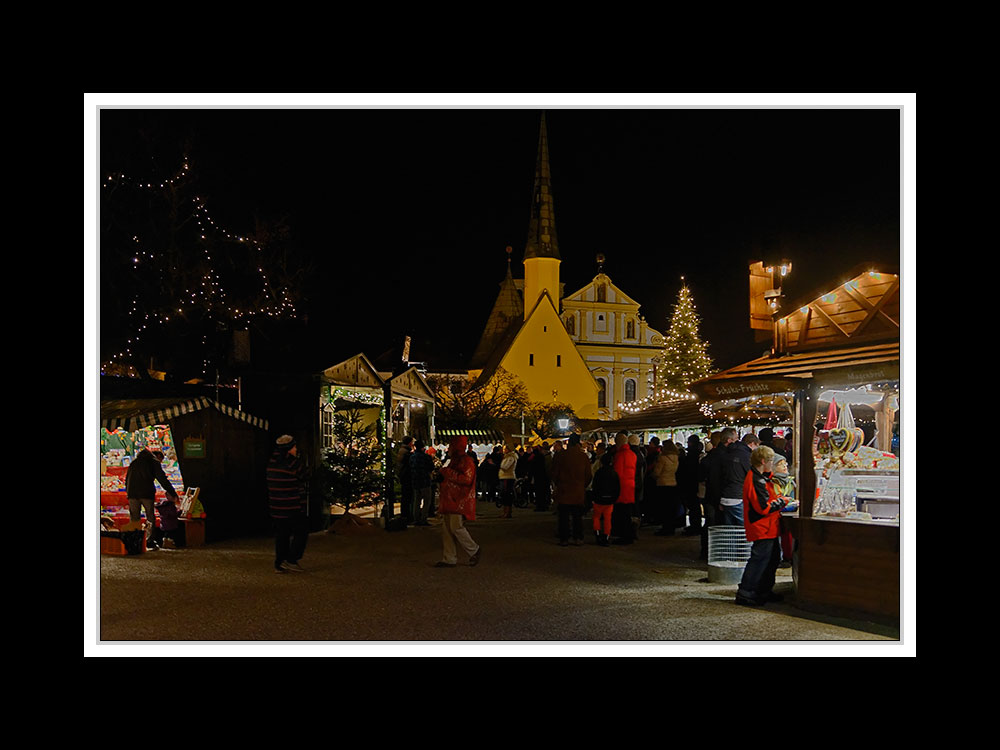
[842, 346]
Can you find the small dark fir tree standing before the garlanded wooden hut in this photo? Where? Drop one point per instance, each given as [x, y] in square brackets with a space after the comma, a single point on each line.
[351, 472]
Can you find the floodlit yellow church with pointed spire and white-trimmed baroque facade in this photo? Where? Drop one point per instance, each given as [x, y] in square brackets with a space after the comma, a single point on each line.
[590, 349]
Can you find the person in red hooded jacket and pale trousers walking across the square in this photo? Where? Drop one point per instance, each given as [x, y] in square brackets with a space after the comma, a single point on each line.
[456, 503]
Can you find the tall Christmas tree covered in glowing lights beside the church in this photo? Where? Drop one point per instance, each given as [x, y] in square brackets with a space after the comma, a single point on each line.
[685, 356]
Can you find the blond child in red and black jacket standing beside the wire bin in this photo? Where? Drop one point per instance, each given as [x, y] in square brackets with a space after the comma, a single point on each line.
[761, 520]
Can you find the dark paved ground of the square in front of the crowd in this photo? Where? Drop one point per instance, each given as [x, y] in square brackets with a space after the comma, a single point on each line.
[382, 588]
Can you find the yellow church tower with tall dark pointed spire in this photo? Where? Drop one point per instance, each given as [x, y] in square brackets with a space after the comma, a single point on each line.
[541, 253]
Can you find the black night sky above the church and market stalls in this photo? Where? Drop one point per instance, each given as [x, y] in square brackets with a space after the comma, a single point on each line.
[404, 214]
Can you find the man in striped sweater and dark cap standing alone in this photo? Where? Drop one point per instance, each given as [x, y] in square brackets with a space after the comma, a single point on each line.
[285, 473]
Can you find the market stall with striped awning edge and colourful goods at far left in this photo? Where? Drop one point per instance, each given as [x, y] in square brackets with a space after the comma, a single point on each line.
[211, 451]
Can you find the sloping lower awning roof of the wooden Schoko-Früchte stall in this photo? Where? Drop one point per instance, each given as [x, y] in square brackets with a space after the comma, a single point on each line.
[789, 372]
